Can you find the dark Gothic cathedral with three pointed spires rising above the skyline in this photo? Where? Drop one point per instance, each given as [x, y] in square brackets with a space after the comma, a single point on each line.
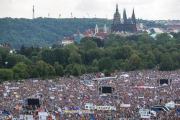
[123, 25]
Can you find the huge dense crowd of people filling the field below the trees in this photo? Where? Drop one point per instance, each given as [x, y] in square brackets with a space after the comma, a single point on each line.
[73, 93]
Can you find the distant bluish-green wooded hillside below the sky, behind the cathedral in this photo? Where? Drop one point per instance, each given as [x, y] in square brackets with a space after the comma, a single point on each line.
[46, 31]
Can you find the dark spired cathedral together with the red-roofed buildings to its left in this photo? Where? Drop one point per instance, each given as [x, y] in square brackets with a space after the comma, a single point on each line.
[123, 26]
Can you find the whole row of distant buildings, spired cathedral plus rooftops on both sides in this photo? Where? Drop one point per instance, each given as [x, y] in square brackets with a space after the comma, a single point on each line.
[125, 27]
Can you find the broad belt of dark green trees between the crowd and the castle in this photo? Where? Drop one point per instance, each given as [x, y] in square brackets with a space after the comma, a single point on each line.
[137, 52]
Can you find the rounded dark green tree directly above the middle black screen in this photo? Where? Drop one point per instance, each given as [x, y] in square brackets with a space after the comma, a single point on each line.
[104, 63]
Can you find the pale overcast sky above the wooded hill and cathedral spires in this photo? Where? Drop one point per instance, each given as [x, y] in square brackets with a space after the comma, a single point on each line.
[145, 9]
